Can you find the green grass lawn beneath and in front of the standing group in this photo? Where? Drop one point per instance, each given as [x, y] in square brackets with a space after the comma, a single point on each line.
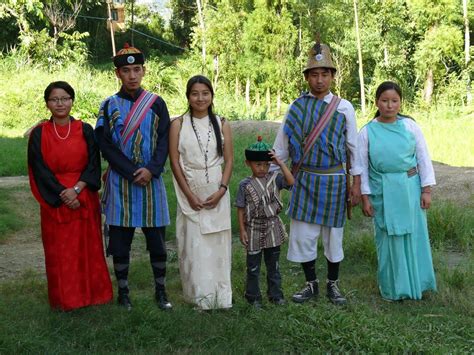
[441, 323]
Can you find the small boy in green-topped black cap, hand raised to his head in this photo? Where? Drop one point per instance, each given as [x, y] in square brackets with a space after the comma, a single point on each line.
[258, 203]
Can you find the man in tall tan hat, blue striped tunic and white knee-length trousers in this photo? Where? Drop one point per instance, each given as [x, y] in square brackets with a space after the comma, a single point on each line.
[317, 202]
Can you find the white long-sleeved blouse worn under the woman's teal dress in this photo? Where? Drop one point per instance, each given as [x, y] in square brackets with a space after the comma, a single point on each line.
[425, 166]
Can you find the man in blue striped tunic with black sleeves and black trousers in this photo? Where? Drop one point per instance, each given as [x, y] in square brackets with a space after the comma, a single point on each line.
[132, 132]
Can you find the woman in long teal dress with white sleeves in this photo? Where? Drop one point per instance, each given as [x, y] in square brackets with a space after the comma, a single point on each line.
[396, 179]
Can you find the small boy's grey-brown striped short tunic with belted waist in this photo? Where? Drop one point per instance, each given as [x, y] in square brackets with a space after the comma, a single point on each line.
[264, 228]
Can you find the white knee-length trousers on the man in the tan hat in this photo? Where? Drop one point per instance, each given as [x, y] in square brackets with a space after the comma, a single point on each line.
[303, 243]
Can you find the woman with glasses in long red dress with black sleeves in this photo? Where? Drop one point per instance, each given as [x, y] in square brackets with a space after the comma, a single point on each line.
[64, 171]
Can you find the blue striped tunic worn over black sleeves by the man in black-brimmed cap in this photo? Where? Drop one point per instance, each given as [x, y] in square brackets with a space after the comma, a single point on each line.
[127, 204]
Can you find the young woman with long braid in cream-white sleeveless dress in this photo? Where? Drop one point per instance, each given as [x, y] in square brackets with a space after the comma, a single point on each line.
[200, 144]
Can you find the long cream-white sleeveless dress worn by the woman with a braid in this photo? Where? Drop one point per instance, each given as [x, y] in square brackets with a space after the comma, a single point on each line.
[203, 237]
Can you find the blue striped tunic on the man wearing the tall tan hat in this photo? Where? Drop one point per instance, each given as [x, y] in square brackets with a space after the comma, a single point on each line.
[317, 198]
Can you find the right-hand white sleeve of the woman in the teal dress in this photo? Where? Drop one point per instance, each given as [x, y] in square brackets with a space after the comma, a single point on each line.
[425, 165]
